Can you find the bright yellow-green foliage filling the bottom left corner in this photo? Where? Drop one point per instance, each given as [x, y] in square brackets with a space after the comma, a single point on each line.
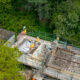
[9, 69]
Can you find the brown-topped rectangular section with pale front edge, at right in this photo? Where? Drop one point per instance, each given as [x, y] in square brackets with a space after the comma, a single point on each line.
[63, 64]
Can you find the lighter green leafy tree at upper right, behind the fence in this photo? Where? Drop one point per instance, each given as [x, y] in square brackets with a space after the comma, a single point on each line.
[66, 21]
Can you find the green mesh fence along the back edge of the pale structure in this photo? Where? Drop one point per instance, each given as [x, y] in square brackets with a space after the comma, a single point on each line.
[51, 37]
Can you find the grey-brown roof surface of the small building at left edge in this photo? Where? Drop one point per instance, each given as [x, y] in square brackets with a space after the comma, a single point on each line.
[5, 35]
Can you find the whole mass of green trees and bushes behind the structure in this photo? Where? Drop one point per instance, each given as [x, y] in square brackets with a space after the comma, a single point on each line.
[61, 17]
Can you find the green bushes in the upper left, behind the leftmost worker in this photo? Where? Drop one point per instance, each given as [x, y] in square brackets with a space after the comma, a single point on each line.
[12, 20]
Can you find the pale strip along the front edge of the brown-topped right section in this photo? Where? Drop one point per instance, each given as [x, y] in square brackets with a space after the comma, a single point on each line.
[51, 72]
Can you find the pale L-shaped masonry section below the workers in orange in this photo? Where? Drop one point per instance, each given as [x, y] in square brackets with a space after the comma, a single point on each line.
[34, 60]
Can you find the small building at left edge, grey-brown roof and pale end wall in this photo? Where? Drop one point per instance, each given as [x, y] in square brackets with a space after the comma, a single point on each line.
[8, 37]
